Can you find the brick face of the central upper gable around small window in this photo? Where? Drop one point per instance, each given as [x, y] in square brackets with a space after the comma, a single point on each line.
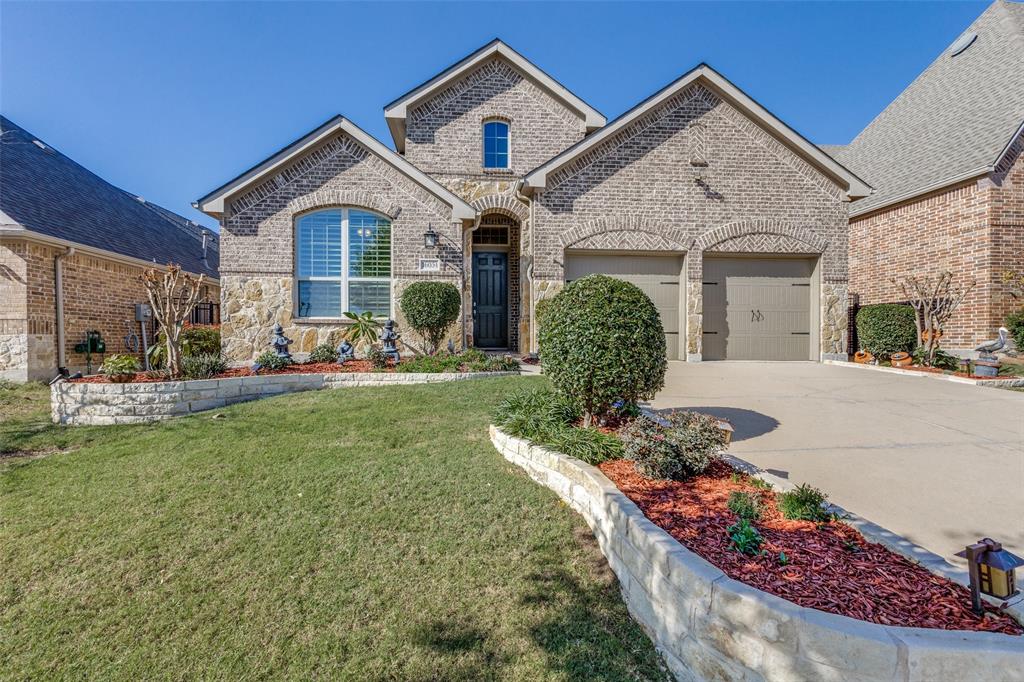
[445, 134]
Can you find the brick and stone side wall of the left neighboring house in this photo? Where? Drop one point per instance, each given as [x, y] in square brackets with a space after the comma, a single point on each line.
[100, 294]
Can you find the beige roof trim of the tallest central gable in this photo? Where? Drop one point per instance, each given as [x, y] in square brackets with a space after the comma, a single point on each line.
[397, 112]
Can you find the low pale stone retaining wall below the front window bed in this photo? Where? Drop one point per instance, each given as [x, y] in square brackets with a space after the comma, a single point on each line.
[81, 404]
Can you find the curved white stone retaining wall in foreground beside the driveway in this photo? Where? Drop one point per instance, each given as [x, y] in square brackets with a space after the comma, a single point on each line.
[710, 627]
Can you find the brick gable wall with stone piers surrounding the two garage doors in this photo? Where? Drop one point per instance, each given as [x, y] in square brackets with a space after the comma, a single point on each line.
[755, 196]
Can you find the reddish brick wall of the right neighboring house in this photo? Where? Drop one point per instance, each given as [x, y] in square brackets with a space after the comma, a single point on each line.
[975, 230]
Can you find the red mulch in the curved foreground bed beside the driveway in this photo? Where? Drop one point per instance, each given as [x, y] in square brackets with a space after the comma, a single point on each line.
[831, 567]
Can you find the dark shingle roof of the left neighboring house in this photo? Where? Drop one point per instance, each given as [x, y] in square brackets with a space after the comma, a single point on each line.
[48, 193]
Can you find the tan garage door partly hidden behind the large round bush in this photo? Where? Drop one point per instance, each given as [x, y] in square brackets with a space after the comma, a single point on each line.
[656, 276]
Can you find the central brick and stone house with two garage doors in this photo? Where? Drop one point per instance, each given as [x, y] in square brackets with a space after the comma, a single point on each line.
[507, 185]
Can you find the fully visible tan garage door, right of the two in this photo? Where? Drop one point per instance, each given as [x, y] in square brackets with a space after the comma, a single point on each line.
[757, 309]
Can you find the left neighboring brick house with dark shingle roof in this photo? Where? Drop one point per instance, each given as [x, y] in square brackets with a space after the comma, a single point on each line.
[61, 222]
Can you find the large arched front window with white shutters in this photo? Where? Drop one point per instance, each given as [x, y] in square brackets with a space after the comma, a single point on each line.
[344, 263]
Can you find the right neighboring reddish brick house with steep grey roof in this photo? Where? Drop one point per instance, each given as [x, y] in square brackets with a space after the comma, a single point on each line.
[946, 158]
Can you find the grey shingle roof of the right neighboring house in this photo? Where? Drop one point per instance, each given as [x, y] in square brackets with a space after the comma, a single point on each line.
[955, 119]
